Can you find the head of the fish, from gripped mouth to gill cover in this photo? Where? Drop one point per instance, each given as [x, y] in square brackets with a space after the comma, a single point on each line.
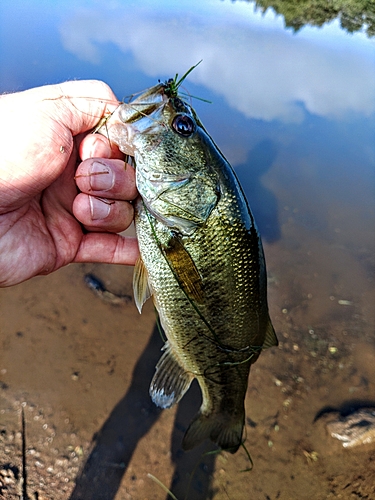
[172, 153]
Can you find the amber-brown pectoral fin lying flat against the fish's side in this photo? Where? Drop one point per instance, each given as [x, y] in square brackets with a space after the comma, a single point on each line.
[185, 269]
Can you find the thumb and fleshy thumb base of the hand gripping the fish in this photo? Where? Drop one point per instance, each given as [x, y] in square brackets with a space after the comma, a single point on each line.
[36, 139]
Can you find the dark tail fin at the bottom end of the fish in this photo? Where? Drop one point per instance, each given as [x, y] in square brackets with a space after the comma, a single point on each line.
[223, 429]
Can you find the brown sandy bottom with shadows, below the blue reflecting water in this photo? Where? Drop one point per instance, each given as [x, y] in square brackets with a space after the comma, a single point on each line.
[80, 368]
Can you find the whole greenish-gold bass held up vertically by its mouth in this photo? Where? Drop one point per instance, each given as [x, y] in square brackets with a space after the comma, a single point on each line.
[201, 260]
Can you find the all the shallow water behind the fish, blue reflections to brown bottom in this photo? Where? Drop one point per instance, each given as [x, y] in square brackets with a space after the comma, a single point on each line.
[294, 114]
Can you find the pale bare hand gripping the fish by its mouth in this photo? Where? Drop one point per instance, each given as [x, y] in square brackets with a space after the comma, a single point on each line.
[54, 209]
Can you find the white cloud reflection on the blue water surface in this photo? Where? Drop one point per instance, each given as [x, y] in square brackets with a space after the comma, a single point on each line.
[262, 71]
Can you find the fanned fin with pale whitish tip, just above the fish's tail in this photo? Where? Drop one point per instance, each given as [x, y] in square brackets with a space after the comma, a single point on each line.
[170, 381]
